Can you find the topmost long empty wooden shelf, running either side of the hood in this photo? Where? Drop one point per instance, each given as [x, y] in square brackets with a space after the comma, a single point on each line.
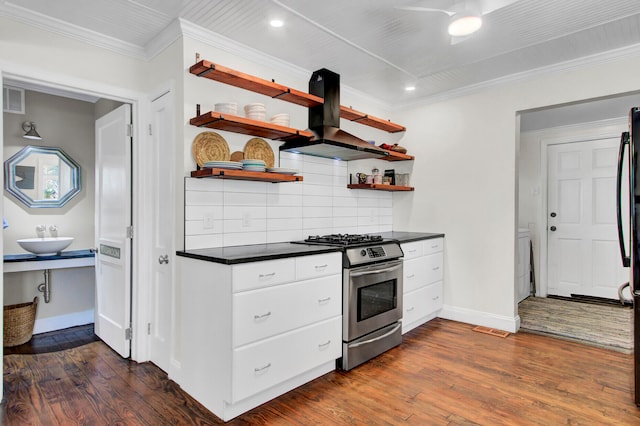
[272, 89]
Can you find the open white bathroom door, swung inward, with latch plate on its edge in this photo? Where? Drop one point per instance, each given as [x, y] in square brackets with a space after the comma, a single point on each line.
[113, 217]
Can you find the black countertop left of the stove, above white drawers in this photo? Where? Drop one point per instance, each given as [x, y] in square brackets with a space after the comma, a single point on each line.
[255, 253]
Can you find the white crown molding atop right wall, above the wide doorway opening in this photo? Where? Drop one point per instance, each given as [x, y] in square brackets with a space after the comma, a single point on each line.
[599, 58]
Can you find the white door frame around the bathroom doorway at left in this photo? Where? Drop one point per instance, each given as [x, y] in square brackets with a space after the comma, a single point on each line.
[62, 85]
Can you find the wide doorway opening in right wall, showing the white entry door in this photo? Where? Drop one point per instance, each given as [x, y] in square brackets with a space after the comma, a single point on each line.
[567, 172]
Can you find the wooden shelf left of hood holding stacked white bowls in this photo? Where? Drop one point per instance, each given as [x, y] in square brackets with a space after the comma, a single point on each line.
[246, 126]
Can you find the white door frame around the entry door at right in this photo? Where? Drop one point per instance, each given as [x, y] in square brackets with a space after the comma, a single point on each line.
[584, 132]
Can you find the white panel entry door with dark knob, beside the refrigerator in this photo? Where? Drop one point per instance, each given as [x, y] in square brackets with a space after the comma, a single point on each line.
[583, 254]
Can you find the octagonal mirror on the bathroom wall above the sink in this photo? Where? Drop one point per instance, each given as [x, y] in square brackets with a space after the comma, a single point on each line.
[41, 176]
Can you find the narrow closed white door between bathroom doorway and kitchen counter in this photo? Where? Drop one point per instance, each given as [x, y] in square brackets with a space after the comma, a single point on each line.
[163, 205]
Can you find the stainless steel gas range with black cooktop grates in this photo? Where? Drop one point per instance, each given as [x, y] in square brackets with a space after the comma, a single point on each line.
[371, 295]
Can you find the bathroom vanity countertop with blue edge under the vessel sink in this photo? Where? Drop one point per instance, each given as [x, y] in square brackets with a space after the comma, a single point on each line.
[66, 259]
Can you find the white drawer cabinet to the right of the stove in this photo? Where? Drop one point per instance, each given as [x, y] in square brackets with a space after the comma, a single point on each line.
[422, 281]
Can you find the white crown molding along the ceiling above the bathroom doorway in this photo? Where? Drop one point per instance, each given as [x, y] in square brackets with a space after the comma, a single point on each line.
[48, 23]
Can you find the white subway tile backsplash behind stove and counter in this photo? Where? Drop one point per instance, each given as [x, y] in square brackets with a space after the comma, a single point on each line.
[231, 212]
